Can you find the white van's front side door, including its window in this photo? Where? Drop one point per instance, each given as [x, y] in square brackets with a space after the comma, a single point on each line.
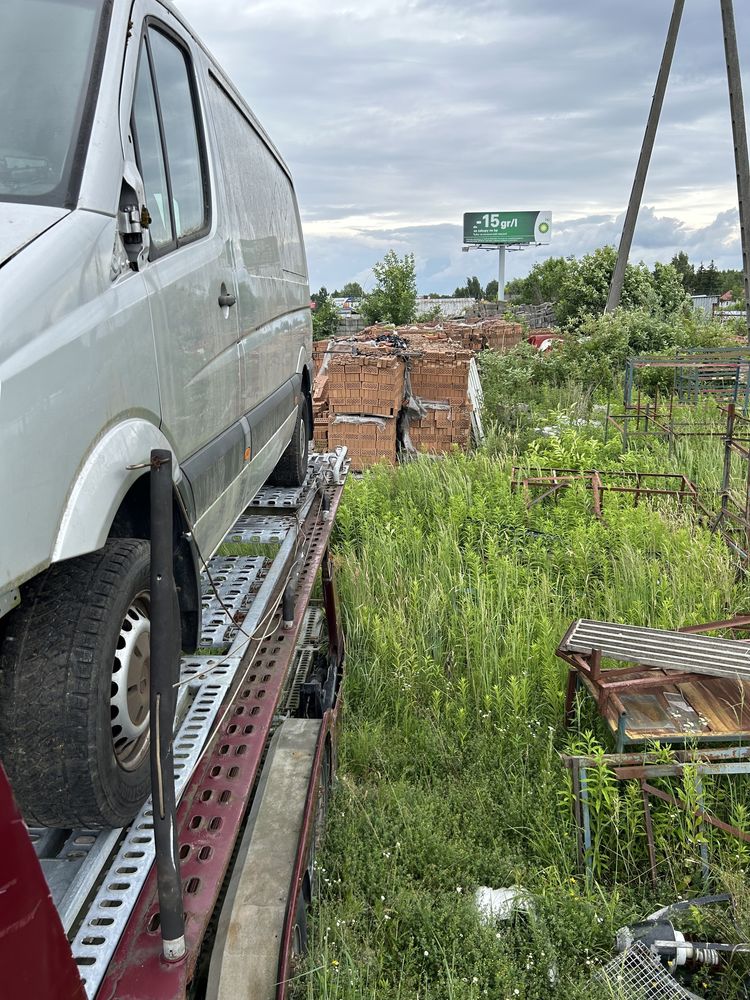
[190, 274]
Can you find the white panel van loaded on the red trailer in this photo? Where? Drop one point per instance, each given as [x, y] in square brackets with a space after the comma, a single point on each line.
[153, 294]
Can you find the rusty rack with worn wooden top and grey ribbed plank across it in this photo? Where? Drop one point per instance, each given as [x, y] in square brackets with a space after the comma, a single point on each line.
[680, 685]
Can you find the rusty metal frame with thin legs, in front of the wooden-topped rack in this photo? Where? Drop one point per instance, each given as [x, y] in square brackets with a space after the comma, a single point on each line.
[645, 768]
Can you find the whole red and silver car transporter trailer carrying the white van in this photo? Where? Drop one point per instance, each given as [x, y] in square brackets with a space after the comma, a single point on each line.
[205, 894]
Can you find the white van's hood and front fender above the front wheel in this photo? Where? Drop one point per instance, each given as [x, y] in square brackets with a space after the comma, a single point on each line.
[76, 358]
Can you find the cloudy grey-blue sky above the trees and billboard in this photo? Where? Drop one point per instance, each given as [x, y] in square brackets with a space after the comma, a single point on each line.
[397, 116]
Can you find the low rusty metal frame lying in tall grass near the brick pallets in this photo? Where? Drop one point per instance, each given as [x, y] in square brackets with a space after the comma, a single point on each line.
[547, 482]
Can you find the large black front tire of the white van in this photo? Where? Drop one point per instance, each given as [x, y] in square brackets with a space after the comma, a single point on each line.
[58, 685]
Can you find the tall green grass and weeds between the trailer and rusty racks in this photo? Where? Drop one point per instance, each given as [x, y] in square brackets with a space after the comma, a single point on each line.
[455, 598]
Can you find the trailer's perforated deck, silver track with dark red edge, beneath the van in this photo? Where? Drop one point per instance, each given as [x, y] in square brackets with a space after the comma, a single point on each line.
[260, 640]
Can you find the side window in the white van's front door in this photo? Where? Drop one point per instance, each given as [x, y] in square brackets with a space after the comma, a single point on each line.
[168, 141]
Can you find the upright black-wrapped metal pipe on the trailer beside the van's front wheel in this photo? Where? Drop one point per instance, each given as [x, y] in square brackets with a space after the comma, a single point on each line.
[165, 656]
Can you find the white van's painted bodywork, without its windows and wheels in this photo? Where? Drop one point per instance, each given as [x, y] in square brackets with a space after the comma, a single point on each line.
[100, 363]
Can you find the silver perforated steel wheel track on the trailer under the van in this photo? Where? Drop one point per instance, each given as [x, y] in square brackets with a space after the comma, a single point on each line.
[96, 877]
